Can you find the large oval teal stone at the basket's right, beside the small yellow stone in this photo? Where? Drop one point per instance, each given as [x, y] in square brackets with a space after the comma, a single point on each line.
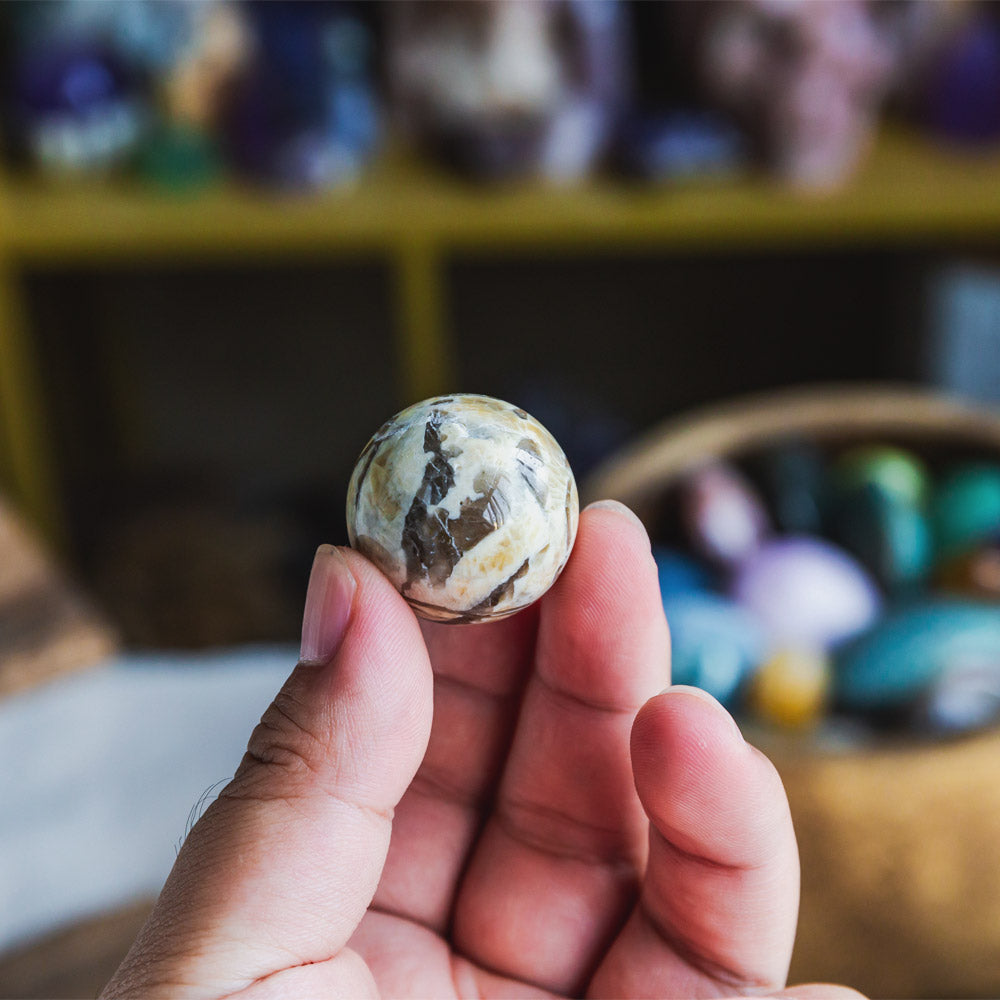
[912, 648]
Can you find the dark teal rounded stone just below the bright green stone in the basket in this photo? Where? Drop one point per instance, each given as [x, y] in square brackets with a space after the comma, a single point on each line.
[892, 539]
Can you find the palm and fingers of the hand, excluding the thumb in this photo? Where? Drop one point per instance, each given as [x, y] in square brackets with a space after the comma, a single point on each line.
[521, 861]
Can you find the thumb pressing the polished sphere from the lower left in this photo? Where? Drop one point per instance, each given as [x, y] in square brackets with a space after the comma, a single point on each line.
[279, 871]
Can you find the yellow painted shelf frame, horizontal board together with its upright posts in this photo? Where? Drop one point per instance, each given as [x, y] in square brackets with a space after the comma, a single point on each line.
[908, 193]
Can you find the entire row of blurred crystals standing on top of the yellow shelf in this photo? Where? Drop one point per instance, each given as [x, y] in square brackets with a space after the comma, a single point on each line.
[300, 94]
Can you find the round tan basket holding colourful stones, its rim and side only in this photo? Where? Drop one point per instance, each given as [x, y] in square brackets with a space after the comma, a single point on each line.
[900, 845]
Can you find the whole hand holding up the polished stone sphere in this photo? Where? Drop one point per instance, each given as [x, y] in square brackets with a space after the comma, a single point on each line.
[562, 826]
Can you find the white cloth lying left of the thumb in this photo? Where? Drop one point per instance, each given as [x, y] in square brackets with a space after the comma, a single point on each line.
[100, 770]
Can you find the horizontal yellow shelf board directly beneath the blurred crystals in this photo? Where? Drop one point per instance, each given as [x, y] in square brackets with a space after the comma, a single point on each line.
[906, 191]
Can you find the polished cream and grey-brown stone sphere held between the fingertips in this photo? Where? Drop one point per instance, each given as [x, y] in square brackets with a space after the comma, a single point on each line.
[467, 504]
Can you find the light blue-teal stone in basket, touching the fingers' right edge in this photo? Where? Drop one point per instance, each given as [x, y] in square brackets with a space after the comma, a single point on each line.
[714, 643]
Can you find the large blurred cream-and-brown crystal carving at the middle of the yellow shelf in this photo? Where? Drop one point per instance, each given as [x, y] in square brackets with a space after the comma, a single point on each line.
[509, 87]
